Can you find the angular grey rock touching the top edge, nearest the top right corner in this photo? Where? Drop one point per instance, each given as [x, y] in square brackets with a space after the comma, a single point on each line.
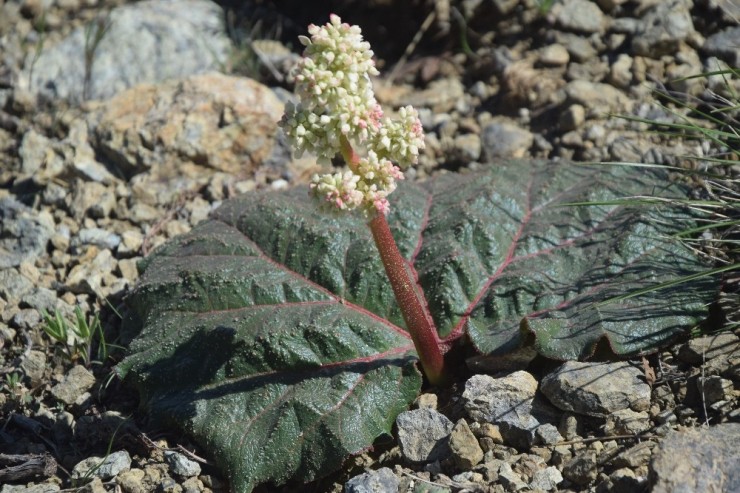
[663, 28]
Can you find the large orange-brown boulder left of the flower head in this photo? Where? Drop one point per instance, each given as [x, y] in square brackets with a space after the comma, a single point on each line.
[184, 127]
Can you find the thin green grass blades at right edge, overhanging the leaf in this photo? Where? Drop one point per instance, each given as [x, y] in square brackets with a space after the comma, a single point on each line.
[712, 122]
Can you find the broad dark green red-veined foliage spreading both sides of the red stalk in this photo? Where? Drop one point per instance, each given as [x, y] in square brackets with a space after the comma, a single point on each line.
[270, 333]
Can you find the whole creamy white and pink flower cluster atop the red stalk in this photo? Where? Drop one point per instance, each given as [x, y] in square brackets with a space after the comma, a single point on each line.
[338, 111]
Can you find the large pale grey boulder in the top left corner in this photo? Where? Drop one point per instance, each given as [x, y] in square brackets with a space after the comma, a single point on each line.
[147, 41]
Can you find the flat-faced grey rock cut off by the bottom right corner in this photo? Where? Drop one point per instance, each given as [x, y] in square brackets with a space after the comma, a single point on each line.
[700, 459]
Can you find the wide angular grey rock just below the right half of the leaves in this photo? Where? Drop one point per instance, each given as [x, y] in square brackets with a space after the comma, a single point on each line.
[597, 389]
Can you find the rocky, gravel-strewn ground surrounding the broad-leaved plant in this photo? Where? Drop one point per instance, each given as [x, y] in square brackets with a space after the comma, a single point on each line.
[123, 124]
